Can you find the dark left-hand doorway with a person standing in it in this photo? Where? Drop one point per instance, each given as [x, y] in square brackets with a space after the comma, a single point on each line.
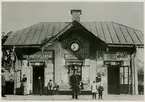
[38, 71]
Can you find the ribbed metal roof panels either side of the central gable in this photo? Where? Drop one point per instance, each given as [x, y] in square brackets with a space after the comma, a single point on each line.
[109, 32]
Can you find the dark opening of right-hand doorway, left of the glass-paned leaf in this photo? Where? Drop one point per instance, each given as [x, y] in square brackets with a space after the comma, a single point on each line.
[113, 79]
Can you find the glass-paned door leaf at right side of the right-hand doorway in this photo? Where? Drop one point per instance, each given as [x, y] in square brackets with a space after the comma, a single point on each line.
[125, 81]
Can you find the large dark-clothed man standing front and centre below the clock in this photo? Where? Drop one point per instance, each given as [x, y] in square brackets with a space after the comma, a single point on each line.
[74, 83]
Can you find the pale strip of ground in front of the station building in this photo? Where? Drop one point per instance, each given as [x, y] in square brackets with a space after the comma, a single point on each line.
[68, 97]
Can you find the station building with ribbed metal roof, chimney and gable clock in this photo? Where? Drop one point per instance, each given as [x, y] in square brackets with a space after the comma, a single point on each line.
[50, 49]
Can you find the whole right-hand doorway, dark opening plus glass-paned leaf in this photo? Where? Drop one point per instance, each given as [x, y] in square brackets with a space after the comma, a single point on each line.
[119, 80]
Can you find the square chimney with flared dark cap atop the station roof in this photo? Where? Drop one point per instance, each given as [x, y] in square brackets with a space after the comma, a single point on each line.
[76, 14]
